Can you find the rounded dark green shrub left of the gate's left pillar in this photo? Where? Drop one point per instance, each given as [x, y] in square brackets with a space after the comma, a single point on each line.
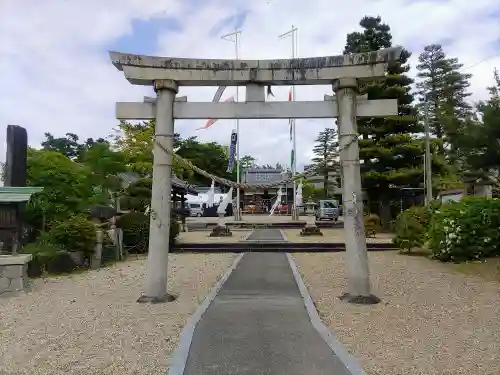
[77, 233]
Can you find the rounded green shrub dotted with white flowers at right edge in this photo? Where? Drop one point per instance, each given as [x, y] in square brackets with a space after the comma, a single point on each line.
[466, 230]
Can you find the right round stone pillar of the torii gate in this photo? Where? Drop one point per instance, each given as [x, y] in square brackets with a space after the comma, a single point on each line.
[354, 227]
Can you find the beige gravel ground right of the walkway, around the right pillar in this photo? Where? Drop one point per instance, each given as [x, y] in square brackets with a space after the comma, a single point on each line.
[432, 320]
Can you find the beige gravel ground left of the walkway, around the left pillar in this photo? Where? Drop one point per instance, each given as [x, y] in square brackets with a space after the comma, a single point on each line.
[90, 323]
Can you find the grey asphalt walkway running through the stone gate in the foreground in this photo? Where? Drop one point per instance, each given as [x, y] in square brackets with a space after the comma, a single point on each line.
[258, 325]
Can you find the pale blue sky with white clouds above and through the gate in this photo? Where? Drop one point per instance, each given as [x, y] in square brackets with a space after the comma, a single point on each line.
[56, 76]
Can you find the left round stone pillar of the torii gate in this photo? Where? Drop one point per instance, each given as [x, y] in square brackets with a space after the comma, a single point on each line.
[159, 228]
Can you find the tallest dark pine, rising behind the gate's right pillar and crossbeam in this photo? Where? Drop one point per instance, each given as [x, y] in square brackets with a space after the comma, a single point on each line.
[389, 148]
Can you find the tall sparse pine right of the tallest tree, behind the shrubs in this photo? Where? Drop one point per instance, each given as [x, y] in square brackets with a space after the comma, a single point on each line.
[445, 88]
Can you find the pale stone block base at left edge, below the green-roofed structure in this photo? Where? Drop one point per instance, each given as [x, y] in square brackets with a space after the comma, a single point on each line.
[13, 273]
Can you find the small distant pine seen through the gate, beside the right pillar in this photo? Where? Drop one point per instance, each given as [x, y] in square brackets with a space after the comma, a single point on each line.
[326, 151]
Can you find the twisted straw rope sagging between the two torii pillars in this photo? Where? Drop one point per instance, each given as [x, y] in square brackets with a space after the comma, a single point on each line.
[223, 181]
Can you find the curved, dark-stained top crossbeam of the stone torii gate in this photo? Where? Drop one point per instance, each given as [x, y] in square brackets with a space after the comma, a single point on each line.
[144, 70]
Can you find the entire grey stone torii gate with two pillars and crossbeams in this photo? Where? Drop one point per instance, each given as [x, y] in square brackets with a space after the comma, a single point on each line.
[343, 72]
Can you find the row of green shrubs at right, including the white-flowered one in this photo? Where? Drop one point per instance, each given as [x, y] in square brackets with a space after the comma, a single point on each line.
[455, 231]
